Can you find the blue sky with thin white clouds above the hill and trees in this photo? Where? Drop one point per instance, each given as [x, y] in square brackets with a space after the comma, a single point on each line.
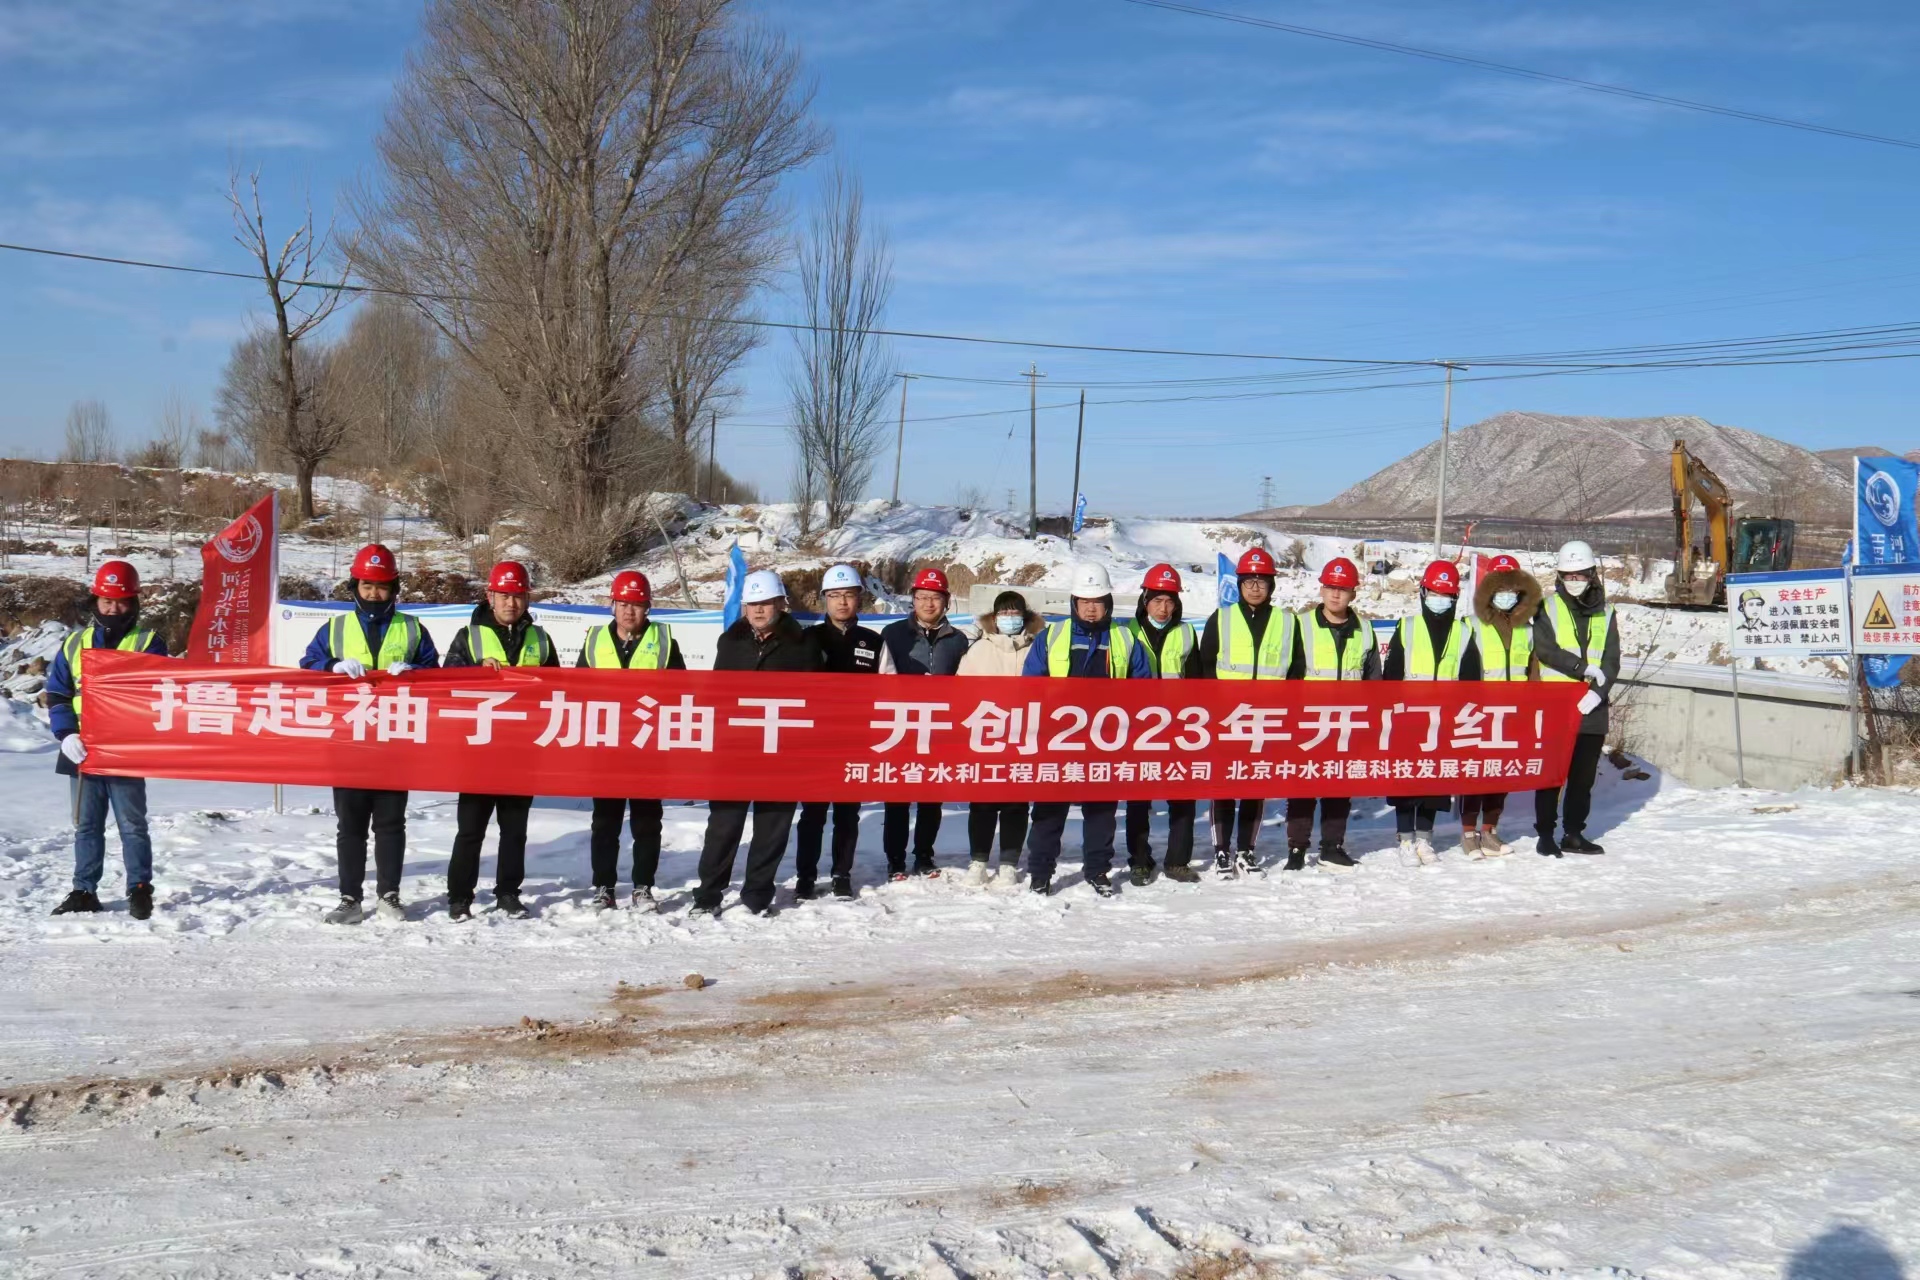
[1105, 174]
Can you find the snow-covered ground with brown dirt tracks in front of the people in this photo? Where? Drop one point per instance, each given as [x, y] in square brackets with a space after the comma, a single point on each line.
[1687, 1060]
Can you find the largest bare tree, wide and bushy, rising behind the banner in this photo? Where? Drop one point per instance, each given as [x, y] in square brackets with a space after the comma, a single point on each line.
[552, 176]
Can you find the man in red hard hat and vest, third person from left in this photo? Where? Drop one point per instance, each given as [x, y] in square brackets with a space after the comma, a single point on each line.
[500, 634]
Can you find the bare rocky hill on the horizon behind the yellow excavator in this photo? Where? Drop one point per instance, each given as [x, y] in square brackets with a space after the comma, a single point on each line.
[1535, 465]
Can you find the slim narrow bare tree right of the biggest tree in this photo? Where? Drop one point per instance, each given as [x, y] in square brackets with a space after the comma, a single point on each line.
[844, 371]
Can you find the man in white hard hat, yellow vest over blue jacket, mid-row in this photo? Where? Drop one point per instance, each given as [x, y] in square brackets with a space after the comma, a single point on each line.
[1090, 646]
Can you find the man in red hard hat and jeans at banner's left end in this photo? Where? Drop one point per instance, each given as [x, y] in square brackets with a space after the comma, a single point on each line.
[114, 625]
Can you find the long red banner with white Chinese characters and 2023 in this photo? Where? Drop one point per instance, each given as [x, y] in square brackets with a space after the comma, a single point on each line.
[732, 736]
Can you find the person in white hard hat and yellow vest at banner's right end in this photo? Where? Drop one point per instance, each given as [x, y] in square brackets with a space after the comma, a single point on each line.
[1577, 638]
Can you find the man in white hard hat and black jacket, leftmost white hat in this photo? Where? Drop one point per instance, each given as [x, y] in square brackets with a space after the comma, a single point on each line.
[765, 640]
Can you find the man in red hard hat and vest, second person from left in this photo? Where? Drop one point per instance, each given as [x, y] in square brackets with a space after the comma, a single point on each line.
[372, 636]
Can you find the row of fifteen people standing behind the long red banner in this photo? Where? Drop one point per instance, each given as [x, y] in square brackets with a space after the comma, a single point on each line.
[1514, 630]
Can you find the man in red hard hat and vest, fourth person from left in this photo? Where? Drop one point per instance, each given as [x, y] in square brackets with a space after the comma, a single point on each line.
[633, 644]
